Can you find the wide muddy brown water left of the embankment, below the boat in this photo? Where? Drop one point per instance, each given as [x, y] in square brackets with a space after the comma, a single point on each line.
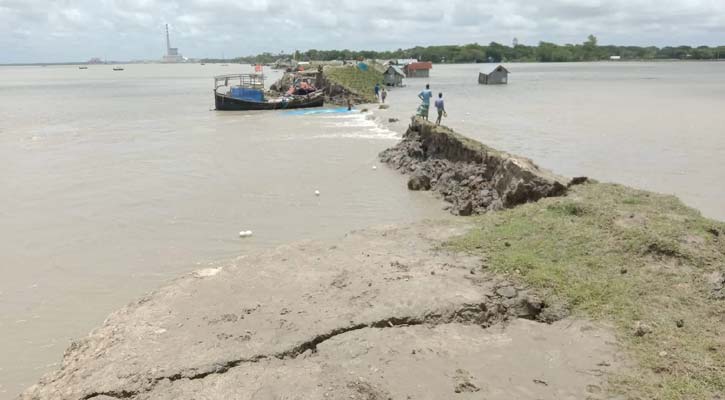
[116, 182]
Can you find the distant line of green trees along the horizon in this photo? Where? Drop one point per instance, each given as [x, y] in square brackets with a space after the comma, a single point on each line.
[589, 50]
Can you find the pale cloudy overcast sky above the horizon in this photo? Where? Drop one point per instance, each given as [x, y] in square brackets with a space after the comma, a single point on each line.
[68, 30]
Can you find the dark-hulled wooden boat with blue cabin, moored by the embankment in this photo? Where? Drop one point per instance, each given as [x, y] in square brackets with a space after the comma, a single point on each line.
[245, 92]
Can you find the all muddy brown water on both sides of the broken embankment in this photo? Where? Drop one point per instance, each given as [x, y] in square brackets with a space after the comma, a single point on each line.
[115, 182]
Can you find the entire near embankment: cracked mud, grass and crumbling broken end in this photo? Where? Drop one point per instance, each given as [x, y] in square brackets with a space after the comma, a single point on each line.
[424, 311]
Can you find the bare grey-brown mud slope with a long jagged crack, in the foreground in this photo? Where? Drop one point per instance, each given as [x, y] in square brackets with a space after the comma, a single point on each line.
[380, 315]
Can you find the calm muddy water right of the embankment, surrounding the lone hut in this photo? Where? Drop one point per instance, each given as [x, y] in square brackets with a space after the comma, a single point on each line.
[657, 126]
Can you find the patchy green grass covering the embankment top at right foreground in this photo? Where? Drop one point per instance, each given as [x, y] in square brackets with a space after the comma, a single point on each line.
[629, 258]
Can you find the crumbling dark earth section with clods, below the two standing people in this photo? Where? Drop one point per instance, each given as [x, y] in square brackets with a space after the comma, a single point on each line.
[472, 177]
